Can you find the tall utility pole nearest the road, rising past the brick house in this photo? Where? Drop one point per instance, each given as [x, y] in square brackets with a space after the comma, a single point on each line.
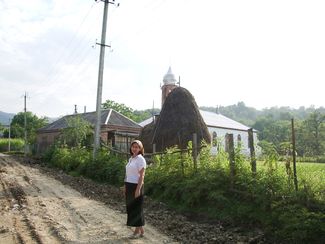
[100, 78]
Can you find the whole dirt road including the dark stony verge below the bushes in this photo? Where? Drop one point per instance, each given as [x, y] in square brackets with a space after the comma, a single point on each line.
[44, 205]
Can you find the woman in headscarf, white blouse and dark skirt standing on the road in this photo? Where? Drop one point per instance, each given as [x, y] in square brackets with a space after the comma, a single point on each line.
[134, 179]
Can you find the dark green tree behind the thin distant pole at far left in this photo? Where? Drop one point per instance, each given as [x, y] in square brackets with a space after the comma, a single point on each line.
[33, 124]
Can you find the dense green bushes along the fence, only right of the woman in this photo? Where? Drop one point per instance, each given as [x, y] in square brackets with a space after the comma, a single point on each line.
[268, 199]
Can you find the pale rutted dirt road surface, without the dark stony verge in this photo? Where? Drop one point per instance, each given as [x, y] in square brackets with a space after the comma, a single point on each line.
[36, 208]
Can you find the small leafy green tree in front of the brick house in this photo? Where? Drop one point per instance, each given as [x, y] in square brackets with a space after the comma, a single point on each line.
[78, 132]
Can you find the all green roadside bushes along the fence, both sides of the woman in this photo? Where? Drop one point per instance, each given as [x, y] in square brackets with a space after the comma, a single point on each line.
[267, 200]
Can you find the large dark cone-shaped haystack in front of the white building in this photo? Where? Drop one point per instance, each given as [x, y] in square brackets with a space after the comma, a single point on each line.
[179, 119]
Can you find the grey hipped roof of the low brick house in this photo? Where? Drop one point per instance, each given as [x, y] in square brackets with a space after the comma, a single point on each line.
[108, 117]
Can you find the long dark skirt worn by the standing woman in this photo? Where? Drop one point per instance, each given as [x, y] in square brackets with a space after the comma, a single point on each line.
[134, 206]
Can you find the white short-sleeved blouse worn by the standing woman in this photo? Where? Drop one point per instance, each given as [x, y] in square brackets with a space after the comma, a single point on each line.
[133, 167]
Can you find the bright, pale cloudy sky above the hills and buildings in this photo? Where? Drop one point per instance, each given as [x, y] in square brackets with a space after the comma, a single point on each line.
[264, 53]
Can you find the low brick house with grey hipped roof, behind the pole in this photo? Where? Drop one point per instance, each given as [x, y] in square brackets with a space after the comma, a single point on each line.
[116, 129]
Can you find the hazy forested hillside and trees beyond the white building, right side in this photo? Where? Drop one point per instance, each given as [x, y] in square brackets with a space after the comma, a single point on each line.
[274, 126]
